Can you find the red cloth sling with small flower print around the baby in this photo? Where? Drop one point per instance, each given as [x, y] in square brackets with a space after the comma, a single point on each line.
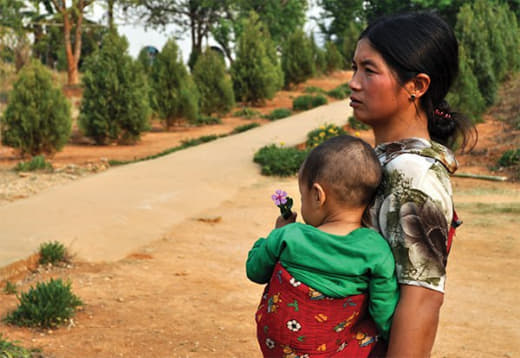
[296, 321]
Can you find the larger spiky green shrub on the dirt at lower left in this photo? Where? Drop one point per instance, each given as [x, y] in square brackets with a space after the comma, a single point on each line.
[48, 305]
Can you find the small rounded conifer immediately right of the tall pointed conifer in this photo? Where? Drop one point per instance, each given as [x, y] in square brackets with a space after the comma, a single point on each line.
[297, 58]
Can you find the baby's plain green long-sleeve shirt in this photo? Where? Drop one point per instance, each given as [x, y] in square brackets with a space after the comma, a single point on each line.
[337, 266]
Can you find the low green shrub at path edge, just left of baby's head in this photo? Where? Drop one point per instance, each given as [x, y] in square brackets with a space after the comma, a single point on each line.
[280, 161]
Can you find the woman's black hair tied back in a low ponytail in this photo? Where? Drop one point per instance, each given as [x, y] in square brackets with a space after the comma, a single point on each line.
[415, 43]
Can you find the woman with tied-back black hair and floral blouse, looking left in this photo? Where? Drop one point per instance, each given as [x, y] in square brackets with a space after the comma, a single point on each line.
[403, 68]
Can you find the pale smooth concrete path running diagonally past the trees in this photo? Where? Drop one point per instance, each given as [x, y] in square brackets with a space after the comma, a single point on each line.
[105, 216]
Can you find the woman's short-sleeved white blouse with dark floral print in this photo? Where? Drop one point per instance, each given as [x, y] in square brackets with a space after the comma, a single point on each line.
[413, 209]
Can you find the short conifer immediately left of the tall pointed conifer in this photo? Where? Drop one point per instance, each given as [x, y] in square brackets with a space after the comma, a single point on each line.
[214, 84]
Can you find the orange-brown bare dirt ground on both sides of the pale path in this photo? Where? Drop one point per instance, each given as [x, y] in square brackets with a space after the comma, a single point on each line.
[186, 295]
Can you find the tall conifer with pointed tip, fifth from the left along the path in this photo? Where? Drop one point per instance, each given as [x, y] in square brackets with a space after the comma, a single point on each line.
[256, 72]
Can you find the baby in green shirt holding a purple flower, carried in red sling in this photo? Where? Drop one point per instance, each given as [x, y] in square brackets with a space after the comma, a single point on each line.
[331, 286]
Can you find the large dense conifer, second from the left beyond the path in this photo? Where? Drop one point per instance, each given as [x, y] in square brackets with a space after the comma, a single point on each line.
[115, 103]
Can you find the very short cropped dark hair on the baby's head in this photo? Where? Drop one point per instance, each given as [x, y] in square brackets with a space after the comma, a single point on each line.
[347, 166]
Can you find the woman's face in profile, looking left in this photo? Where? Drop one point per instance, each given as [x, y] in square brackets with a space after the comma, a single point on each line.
[376, 95]
